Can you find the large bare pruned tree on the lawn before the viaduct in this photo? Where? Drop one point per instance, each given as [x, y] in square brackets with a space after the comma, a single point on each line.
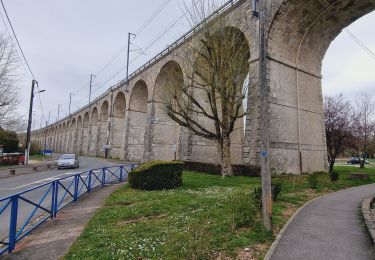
[210, 102]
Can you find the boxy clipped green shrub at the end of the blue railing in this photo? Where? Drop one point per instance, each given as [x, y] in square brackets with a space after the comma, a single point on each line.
[156, 175]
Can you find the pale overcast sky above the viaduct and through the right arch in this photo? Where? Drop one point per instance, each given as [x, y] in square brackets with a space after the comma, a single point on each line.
[66, 41]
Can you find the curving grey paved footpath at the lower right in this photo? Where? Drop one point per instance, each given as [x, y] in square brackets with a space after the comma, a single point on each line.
[331, 228]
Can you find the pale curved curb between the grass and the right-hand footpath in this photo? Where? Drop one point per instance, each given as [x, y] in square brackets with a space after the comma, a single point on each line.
[279, 236]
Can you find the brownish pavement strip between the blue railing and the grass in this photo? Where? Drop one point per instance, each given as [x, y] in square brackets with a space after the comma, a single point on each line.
[53, 239]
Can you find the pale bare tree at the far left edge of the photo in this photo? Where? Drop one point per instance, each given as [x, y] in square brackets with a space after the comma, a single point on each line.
[9, 97]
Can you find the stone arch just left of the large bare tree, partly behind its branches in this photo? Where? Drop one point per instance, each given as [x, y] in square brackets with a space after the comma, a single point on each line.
[163, 141]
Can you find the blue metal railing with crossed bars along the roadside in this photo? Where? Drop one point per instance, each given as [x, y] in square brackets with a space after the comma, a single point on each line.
[23, 212]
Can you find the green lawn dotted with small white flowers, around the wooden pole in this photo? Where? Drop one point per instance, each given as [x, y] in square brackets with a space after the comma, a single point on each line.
[206, 217]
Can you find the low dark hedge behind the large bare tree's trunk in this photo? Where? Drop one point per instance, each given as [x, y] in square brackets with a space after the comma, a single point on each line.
[215, 169]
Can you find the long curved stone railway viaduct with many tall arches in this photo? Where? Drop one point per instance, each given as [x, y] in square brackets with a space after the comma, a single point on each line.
[129, 118]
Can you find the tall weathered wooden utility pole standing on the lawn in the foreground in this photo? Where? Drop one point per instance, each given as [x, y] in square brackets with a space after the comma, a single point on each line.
[264, 118]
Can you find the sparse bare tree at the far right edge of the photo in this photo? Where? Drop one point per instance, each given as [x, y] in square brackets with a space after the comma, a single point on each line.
[364, 125]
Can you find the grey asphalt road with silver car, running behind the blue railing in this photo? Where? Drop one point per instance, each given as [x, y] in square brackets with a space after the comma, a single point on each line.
[17, 184]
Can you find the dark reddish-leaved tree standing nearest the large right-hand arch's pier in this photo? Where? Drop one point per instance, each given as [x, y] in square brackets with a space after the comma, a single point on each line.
[338, 115]
